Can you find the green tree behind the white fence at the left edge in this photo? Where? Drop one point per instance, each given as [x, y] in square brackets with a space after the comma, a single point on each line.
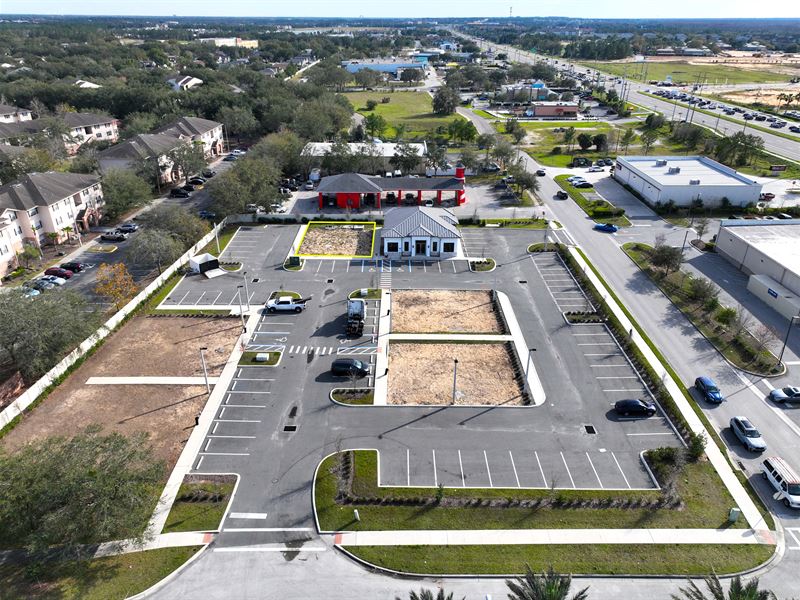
[33, 335]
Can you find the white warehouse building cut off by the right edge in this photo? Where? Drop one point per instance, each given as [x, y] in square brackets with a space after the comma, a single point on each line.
[769, 252]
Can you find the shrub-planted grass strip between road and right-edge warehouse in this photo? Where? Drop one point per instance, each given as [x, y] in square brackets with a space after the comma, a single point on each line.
[676, 287]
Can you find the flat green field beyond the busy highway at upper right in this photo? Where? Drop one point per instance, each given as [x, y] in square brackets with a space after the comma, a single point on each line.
[688, 71]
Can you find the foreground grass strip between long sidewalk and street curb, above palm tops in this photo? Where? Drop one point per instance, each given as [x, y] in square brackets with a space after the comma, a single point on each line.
[581, 559]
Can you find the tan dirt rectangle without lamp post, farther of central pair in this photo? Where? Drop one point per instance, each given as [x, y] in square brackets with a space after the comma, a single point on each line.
[444, 311]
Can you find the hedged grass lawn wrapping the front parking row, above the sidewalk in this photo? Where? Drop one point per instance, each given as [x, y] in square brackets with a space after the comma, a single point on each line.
[705, 497]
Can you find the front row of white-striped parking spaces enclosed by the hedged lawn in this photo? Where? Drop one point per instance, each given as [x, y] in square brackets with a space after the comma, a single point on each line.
[503, 468]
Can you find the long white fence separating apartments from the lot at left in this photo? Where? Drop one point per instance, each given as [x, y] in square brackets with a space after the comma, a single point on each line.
[34, 391]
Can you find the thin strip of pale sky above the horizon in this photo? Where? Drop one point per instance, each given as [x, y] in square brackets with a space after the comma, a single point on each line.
[410, 8]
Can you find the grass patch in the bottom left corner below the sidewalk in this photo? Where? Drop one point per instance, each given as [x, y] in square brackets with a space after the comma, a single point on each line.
[111, 578]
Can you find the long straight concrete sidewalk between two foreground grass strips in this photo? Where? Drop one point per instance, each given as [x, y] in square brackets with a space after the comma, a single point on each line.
[482, 537]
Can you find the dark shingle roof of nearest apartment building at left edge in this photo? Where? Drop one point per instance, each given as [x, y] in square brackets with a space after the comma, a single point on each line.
[43, 189]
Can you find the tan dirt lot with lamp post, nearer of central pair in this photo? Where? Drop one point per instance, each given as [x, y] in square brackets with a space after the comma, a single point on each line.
[423, 374]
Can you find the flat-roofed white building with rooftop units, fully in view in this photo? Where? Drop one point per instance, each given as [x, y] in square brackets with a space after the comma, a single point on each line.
[685, 179]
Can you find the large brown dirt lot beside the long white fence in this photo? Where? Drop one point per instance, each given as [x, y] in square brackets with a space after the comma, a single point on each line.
[166, 346]
